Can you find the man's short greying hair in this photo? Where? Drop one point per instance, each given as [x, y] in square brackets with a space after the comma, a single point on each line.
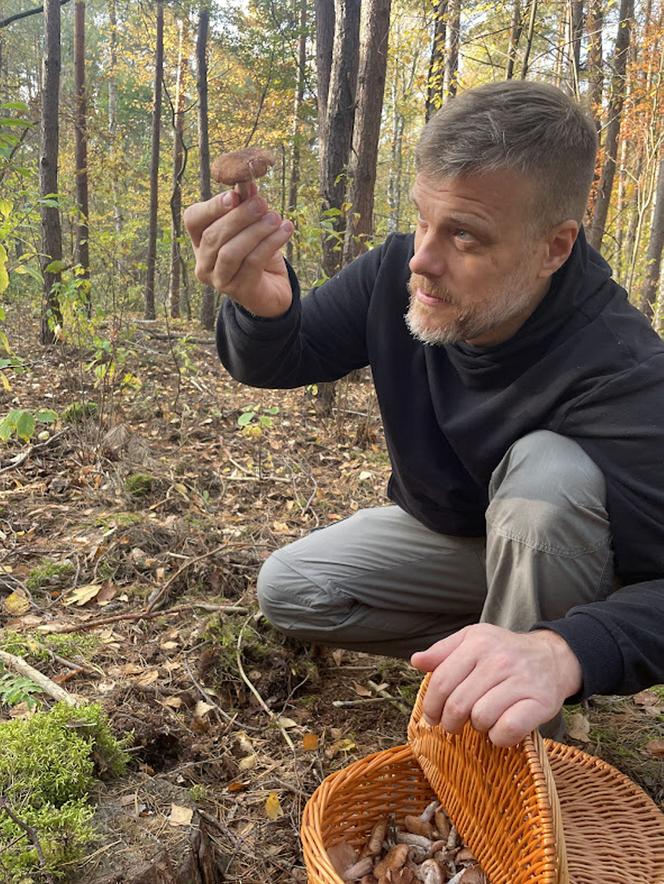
[531, 128]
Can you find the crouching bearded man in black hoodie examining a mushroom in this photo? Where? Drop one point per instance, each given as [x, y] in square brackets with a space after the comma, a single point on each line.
[522, 398]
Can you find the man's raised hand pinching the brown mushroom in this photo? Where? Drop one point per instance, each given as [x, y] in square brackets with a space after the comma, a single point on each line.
[238, 251]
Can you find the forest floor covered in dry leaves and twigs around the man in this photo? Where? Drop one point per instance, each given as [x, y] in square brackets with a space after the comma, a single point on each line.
[175, 510]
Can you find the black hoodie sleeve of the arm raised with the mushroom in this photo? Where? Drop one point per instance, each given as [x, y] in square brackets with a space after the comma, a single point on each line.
[321, 337]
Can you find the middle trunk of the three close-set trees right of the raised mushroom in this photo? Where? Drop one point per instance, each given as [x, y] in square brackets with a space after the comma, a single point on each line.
[338, 131]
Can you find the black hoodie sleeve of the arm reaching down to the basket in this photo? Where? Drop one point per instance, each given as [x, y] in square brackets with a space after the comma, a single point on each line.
[620, 640]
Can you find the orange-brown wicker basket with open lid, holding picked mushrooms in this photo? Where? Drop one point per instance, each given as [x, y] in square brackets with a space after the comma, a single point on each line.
[512, 806]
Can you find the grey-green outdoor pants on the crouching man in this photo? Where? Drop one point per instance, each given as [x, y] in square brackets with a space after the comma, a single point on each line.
[381, 582]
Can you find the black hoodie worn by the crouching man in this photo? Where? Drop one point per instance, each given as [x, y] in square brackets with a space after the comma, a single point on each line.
[586, 364]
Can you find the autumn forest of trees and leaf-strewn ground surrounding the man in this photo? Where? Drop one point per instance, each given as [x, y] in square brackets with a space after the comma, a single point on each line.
[138, 483]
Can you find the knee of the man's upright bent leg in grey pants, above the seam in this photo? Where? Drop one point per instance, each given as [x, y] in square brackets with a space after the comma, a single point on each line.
[549, 494]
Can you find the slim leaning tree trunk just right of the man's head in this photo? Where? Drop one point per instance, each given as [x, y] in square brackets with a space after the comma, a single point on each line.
[613, 128]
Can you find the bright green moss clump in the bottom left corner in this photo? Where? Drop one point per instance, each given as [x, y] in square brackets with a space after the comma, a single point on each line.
[47, 767]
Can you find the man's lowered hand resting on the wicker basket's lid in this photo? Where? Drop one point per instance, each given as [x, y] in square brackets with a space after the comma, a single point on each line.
[505, 683]
